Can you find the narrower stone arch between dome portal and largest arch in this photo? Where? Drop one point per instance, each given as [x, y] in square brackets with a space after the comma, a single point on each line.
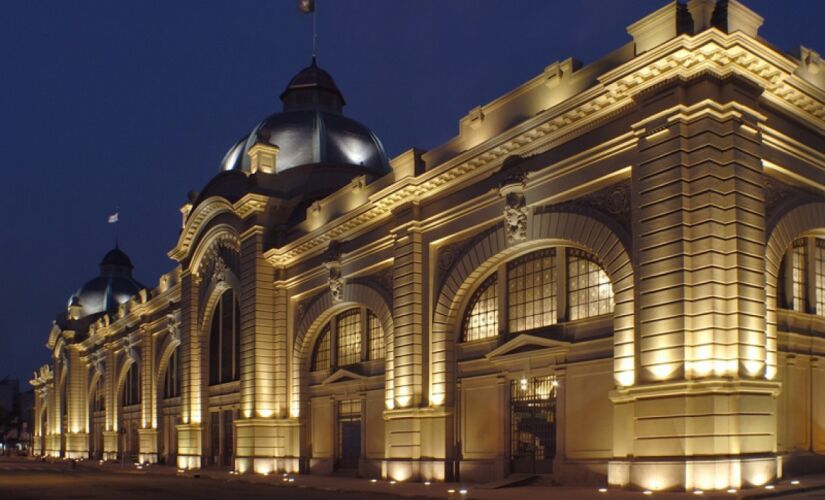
[321, 310]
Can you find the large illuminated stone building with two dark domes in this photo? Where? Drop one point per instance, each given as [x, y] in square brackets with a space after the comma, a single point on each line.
[614, 273]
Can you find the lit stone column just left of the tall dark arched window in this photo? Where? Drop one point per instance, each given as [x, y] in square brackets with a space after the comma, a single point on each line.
[193, 376]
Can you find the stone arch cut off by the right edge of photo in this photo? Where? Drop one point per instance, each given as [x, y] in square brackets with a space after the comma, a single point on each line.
[798, 221]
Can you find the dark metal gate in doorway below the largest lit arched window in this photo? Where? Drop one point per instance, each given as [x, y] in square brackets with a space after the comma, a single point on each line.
[533, 424]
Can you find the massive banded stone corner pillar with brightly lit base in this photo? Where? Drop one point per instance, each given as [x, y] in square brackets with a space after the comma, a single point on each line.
[699, 243]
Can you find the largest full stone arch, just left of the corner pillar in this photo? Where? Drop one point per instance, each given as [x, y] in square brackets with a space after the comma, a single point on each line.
[491, 249]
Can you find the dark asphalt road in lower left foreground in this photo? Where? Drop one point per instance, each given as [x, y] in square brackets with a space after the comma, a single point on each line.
[26, 480]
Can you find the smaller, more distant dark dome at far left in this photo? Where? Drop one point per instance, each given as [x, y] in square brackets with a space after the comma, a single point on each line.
[114, 286]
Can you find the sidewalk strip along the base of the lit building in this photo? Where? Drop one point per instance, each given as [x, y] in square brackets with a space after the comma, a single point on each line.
[452, 490]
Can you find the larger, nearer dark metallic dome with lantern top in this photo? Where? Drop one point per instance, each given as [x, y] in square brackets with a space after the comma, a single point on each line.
[312, 130]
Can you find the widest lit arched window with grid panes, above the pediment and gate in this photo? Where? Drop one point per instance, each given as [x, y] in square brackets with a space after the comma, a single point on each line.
[534, 283]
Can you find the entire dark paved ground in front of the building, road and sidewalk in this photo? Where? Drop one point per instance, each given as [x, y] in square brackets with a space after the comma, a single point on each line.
[28, 479]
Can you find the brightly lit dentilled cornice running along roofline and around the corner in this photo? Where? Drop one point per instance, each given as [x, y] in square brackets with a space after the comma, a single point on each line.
[685, 56]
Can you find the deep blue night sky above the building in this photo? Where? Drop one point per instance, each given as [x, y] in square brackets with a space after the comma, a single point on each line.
[126, 106]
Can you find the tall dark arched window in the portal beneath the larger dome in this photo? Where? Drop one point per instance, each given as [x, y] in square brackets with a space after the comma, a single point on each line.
[225, 340]
